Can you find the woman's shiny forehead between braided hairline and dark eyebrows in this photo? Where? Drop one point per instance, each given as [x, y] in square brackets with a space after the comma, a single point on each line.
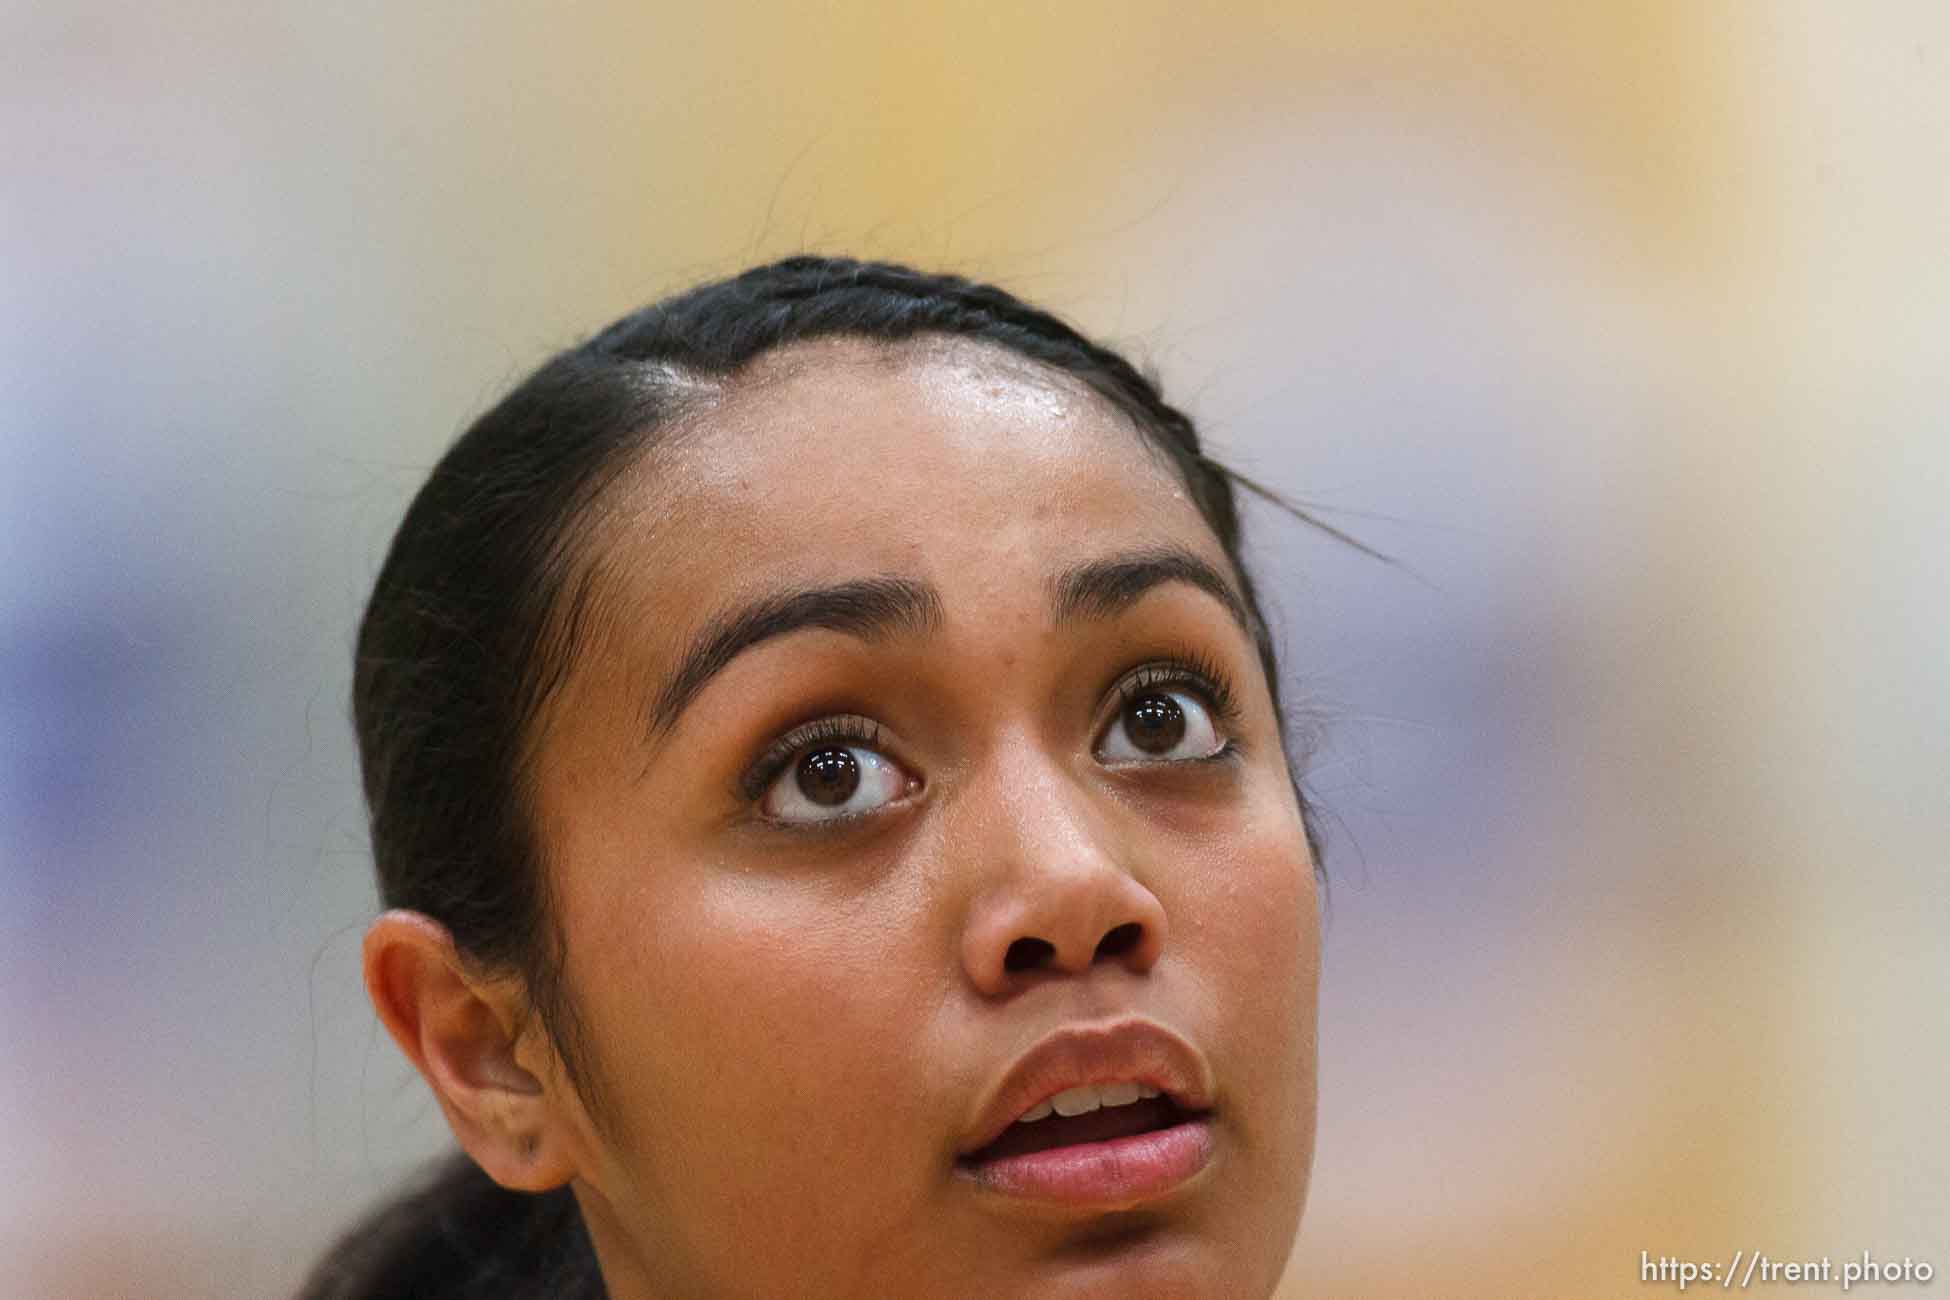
[939, 459]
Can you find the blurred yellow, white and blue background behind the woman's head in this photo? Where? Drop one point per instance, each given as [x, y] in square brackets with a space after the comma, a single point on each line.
[1623, 326]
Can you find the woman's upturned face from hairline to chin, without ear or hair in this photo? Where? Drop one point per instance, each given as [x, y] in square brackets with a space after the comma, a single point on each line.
[914, 773]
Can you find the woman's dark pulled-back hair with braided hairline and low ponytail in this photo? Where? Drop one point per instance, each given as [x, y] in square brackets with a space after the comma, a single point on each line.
[477, 619]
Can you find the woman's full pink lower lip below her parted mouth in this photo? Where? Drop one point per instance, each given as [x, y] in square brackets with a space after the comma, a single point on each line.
[1105, 1174]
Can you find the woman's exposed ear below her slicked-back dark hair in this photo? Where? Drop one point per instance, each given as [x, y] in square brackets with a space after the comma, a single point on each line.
[463, 1034]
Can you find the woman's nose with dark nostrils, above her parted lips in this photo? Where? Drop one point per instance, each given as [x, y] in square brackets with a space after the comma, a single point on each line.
[1054, 888]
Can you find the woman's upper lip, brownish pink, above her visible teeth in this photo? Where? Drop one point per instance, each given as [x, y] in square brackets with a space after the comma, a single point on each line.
[1136, 1050]
